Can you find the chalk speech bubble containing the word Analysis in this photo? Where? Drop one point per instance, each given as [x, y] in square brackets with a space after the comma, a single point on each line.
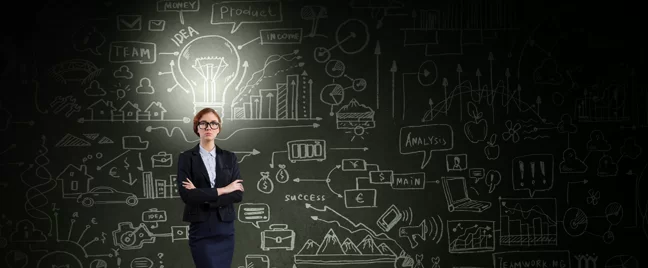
[425, 139]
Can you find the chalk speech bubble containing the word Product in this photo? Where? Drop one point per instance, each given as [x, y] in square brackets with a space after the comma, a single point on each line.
[238, 13]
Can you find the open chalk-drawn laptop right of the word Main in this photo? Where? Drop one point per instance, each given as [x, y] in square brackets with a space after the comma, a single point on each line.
[457, 196]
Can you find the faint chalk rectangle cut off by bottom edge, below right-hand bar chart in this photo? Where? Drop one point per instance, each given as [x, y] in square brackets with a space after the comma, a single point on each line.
[538, 258]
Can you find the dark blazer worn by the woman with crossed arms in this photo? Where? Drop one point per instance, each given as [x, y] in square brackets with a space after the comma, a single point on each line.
[199, 201]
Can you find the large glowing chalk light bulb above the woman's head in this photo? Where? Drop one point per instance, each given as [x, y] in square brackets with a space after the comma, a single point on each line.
[209, 64]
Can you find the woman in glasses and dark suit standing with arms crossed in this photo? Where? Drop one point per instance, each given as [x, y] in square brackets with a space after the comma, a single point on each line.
[209, 184]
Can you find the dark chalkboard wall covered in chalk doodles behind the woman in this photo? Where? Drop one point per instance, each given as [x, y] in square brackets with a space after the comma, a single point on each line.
[558, 85]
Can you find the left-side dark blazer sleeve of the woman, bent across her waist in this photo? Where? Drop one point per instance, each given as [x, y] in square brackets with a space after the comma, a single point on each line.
[196, 196]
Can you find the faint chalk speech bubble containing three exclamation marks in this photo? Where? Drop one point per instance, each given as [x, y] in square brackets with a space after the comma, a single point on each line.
[533, 173]
